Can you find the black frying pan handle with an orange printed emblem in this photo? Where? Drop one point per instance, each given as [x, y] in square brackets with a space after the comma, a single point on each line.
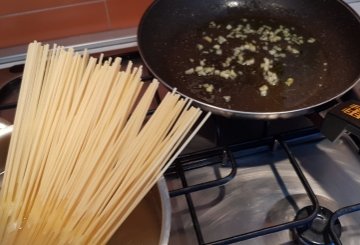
[344, 117]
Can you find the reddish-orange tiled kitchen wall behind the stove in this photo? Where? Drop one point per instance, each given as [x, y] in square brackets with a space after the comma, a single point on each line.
[24, 21]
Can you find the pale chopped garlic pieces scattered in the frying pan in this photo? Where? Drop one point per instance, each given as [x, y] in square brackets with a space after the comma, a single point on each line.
[275, 43]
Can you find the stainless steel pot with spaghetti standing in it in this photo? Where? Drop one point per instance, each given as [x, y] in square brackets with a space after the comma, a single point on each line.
[149, 223]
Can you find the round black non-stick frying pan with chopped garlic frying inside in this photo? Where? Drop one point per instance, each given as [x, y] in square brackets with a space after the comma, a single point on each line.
[170, 30]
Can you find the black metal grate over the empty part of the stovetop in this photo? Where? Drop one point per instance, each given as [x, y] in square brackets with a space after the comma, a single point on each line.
[204, 158]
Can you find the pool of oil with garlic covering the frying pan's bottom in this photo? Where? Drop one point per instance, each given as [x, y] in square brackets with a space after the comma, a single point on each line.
[249, 64]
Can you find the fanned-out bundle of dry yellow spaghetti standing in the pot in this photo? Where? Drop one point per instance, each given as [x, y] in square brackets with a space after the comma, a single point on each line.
[83, 151]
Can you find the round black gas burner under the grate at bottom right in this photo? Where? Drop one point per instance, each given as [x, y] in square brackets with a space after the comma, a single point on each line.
[317, 232]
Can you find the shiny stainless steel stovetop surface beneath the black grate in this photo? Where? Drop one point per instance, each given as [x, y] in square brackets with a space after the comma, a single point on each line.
[267, 192]
